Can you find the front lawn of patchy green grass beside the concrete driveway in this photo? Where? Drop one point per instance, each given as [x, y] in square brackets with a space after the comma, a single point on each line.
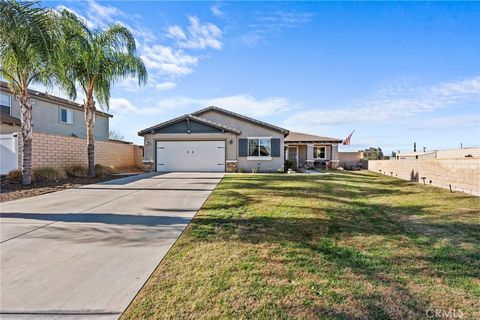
[337, 246]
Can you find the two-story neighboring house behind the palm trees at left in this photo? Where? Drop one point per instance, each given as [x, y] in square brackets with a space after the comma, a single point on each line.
[50, 115]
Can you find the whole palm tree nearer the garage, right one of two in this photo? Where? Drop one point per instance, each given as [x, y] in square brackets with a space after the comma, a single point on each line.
[94, 60]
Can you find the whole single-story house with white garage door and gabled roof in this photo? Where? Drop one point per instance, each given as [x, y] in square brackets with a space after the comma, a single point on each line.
[215, 139]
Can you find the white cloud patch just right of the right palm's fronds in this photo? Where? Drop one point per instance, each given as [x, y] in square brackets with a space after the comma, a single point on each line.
[167, 61]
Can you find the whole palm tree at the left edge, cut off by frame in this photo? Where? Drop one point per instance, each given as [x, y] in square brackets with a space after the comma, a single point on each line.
[26, 50]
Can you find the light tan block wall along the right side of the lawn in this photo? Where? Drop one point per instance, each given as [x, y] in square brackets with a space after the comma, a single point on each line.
[461, 174]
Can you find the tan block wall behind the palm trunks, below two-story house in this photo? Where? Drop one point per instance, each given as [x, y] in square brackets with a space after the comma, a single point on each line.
[61, 151]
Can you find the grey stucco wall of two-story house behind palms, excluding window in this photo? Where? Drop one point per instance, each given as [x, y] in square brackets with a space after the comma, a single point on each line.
[45, 118]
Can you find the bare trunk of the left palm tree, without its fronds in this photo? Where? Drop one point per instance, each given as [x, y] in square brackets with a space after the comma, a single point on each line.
[27, 136]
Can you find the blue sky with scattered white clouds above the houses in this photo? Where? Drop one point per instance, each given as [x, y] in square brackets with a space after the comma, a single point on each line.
[394, 72]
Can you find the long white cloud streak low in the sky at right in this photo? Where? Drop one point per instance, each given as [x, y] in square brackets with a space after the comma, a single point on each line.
[393, 103]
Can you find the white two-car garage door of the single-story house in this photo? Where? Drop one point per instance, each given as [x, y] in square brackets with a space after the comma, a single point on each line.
[191, 156]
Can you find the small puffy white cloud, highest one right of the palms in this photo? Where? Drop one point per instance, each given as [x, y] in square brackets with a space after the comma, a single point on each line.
[197, 35]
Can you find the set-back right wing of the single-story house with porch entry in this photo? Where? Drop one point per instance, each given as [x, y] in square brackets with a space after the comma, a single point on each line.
[309, 151]
